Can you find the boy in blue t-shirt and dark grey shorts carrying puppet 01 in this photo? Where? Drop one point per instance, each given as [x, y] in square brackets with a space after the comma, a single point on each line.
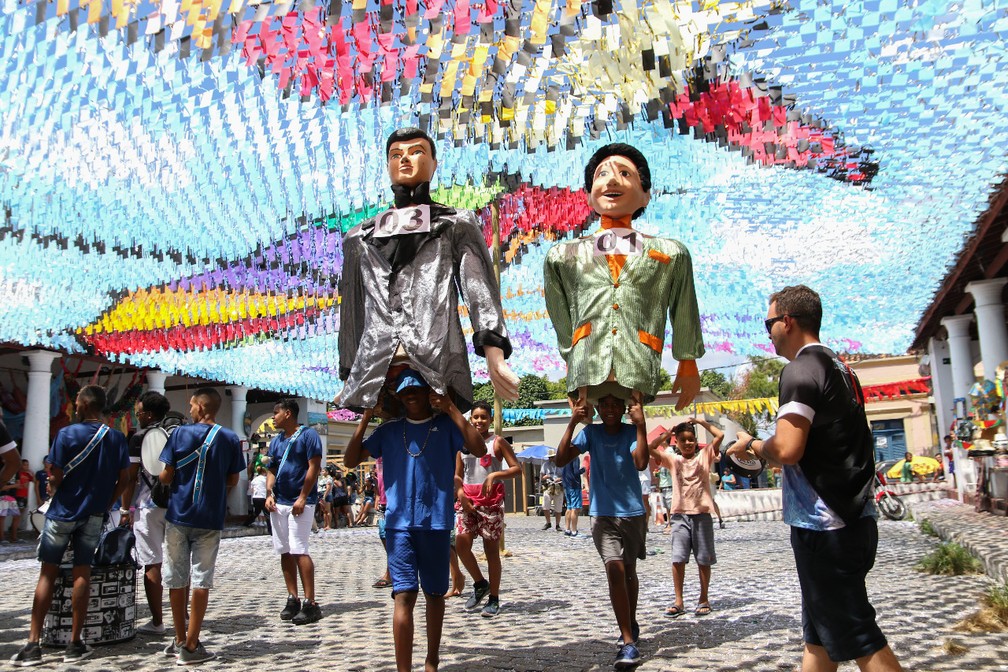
[619, 525]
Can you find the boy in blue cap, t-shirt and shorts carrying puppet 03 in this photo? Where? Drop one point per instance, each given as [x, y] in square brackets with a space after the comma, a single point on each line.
[419, 457]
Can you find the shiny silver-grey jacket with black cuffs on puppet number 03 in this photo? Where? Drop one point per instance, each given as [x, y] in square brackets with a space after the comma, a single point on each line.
[415, 303]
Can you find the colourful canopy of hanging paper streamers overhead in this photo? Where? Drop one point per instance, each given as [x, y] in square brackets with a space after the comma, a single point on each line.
[177, 176]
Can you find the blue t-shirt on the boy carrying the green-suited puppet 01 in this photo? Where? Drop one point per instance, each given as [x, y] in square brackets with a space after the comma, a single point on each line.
[615, 486]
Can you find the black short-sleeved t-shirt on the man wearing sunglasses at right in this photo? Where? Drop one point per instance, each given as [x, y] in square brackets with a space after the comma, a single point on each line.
[838, 460]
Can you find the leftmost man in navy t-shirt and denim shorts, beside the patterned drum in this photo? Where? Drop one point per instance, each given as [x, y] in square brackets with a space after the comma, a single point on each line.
[90, 467]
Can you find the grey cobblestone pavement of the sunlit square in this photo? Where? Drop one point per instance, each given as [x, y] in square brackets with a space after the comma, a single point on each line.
[556, 613]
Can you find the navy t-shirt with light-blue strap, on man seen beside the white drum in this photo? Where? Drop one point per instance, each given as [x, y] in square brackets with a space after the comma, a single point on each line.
[223, 459]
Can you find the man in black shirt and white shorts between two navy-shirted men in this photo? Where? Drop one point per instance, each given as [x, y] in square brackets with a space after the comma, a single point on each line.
[153, 413]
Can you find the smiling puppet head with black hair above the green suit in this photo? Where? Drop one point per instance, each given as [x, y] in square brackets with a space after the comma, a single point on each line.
[618, 182]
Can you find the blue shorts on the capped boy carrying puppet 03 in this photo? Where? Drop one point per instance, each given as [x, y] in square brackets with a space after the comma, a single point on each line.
[423, 555]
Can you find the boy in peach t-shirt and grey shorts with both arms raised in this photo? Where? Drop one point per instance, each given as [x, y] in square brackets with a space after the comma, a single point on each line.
[693, 527]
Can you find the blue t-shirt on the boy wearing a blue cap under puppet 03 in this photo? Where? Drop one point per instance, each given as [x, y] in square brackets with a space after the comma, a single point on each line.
[420, 490]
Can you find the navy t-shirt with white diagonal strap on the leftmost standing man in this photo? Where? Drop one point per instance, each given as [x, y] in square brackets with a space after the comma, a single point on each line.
[87, 490]
